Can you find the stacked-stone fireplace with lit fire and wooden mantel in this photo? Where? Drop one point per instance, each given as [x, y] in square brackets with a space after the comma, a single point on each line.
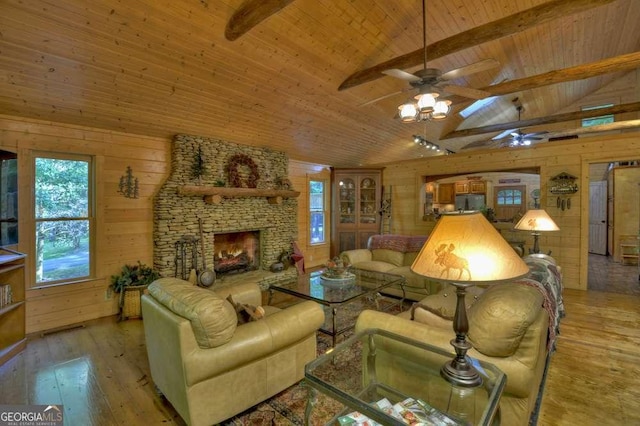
[267, 227]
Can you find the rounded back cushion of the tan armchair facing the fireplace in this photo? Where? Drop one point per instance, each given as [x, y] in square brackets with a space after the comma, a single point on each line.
[212, 318]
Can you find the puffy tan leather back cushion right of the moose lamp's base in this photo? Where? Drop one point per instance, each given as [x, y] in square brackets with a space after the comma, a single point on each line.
[500, 318]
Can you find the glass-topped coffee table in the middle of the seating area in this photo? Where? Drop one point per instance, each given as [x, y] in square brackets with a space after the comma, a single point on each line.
[337, 294]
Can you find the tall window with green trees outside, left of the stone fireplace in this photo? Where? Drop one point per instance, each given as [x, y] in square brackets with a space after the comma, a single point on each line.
[63, 218]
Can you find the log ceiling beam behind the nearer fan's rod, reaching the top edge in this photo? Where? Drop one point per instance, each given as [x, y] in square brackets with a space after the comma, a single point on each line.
[484, 33]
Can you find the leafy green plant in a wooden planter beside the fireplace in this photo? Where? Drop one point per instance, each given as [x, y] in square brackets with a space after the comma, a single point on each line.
[130, 283]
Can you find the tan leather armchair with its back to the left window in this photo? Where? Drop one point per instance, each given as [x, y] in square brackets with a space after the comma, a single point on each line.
[211, 368]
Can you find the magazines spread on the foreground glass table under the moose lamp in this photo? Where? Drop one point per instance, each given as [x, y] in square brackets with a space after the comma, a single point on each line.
[410, 411]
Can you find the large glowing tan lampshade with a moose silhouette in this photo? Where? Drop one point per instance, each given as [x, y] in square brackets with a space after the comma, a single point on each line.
[466, 248]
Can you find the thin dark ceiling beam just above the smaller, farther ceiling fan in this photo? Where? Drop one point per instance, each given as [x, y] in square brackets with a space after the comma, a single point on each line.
[569, 116]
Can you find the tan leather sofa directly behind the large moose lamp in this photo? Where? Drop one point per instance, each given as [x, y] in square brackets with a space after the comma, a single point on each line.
[508, 328]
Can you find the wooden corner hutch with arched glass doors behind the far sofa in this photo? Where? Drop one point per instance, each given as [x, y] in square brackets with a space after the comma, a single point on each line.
[356, 201]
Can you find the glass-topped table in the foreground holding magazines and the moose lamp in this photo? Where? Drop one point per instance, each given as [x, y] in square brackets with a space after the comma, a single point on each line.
[375, 369]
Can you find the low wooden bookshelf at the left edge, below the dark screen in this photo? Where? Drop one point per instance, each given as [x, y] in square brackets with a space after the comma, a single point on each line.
[12, 304]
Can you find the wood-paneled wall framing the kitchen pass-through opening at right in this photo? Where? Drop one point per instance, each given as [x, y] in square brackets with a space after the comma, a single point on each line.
[570, 156]
